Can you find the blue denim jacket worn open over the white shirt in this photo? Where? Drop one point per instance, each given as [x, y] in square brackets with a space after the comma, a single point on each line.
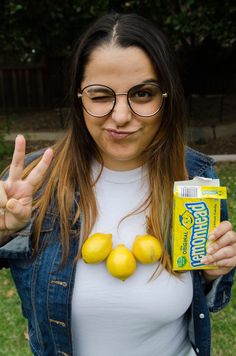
[45, 287]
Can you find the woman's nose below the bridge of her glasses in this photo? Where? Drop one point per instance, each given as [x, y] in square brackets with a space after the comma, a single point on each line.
[121, 113]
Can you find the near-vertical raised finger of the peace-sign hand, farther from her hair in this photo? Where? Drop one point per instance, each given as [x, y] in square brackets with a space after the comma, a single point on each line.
[17, 163]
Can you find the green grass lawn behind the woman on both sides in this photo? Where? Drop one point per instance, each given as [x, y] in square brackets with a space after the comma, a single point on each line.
[13, 328]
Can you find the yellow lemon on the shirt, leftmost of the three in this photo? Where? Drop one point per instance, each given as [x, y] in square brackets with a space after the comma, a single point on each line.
[97, 247]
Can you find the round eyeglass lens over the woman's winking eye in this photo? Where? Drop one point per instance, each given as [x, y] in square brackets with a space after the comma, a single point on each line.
[98, 100]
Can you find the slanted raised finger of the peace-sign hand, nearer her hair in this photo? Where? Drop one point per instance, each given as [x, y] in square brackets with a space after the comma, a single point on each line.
[38, 172]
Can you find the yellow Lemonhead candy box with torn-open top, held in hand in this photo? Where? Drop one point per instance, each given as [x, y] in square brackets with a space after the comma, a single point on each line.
[196, 213]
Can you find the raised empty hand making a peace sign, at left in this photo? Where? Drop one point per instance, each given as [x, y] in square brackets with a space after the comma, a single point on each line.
[16, 194]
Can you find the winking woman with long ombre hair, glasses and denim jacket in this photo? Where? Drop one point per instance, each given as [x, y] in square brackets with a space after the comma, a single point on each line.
[113, 172]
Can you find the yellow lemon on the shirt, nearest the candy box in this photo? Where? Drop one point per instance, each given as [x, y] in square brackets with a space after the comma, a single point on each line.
[147, 249]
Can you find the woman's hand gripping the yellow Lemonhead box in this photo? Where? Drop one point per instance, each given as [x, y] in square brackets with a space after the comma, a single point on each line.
[222, 252]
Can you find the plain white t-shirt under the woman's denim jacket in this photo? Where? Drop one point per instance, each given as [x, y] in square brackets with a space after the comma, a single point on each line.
[136, 317]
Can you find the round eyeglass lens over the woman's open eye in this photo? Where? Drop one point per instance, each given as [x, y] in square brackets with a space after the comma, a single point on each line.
[145, 99]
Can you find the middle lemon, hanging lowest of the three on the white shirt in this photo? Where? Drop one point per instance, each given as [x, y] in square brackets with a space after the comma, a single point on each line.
[121, 262]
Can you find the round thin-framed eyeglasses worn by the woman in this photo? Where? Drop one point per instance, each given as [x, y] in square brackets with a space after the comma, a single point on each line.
[145, 99]
